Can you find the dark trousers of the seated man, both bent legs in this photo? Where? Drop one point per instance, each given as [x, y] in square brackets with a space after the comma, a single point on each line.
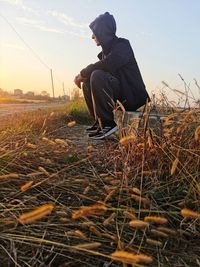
[101, 93]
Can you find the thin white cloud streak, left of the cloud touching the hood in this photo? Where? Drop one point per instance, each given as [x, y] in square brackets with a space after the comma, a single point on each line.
[38, 24]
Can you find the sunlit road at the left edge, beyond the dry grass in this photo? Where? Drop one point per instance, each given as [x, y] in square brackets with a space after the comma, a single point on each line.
[10, 109]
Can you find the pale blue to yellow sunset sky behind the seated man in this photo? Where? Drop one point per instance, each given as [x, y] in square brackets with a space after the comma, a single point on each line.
[39, 35]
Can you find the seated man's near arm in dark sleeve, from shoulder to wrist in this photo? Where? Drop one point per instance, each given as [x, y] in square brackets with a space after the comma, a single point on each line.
[120, 56]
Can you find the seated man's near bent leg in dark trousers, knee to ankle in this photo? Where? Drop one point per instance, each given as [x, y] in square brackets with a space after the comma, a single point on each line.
[105, 89]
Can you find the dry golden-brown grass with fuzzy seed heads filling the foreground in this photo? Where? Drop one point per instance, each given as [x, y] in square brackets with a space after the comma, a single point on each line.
[131, 200]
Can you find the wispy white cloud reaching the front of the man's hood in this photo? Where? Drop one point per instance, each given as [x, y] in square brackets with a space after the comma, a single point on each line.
[72, 27]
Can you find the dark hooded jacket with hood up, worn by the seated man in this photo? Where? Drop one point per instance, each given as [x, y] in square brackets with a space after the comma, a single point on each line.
[117, 58]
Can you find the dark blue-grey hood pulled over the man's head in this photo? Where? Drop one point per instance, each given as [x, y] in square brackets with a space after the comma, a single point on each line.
[104, 28]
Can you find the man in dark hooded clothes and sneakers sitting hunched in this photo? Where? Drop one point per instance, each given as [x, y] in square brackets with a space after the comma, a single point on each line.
[115, 76]
